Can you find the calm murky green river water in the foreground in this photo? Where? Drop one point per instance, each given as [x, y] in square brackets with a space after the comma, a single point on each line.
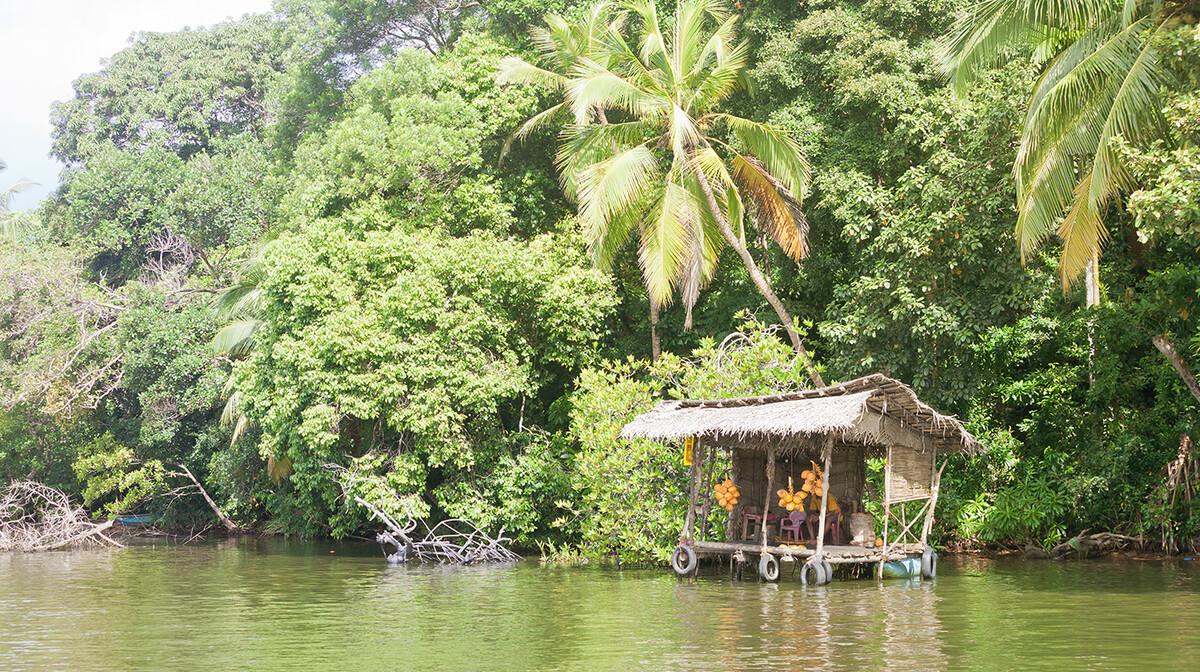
[273, 604]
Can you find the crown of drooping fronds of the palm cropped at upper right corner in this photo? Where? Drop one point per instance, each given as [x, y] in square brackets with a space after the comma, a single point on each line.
[1102, 74]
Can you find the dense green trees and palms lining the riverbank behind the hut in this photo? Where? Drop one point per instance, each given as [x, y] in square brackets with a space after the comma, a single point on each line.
[446, 251]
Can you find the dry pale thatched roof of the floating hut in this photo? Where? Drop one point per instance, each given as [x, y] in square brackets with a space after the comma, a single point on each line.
[874, 411]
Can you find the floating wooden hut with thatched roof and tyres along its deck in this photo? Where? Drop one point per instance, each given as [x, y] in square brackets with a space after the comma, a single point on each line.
[837, 427]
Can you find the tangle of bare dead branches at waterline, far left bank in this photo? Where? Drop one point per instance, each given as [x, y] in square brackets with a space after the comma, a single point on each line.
[38, 518]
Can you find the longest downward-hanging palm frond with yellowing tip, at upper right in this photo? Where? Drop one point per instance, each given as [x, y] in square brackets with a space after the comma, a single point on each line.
[1106, 85]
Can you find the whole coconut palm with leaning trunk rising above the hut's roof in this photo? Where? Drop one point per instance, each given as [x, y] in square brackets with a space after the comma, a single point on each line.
[662, 171]
